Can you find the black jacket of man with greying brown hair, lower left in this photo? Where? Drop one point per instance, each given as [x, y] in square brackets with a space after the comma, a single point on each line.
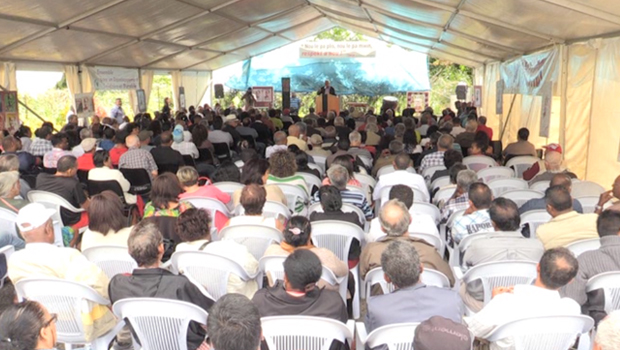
[160, 283]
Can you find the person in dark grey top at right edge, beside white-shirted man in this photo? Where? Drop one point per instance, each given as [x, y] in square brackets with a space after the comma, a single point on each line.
[594, 262]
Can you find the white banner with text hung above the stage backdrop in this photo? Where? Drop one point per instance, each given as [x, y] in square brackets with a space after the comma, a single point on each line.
[331, 49]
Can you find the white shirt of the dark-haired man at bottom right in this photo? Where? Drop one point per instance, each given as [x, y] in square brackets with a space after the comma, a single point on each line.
[525, 301]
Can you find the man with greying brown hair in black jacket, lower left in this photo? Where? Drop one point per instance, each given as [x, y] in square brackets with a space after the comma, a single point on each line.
[146, 247]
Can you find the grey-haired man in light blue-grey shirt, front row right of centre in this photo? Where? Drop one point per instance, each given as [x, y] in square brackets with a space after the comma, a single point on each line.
[412, 300]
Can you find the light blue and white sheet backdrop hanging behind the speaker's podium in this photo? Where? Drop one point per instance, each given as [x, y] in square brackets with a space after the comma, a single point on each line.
[392, 70]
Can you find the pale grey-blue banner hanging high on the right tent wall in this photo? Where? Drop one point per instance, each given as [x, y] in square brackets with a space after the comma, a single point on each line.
[528, 74]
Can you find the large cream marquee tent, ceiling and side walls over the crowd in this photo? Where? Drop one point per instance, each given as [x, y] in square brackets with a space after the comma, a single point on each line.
[569, 46]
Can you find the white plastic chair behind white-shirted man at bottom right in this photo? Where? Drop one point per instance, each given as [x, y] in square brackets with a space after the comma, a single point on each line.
[545, 332]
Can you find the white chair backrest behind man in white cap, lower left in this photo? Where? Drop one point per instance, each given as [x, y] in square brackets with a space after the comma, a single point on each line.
[64, 298]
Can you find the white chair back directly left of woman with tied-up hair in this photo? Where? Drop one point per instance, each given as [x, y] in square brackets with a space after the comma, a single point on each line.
[257, 238]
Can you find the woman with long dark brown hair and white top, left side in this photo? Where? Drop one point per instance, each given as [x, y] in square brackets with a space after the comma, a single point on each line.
[107, 224]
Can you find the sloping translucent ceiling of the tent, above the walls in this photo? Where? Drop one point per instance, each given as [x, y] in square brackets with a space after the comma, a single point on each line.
[210, 34]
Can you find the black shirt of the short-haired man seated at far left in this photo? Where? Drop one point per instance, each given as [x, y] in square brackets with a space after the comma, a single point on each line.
[68, 188]
